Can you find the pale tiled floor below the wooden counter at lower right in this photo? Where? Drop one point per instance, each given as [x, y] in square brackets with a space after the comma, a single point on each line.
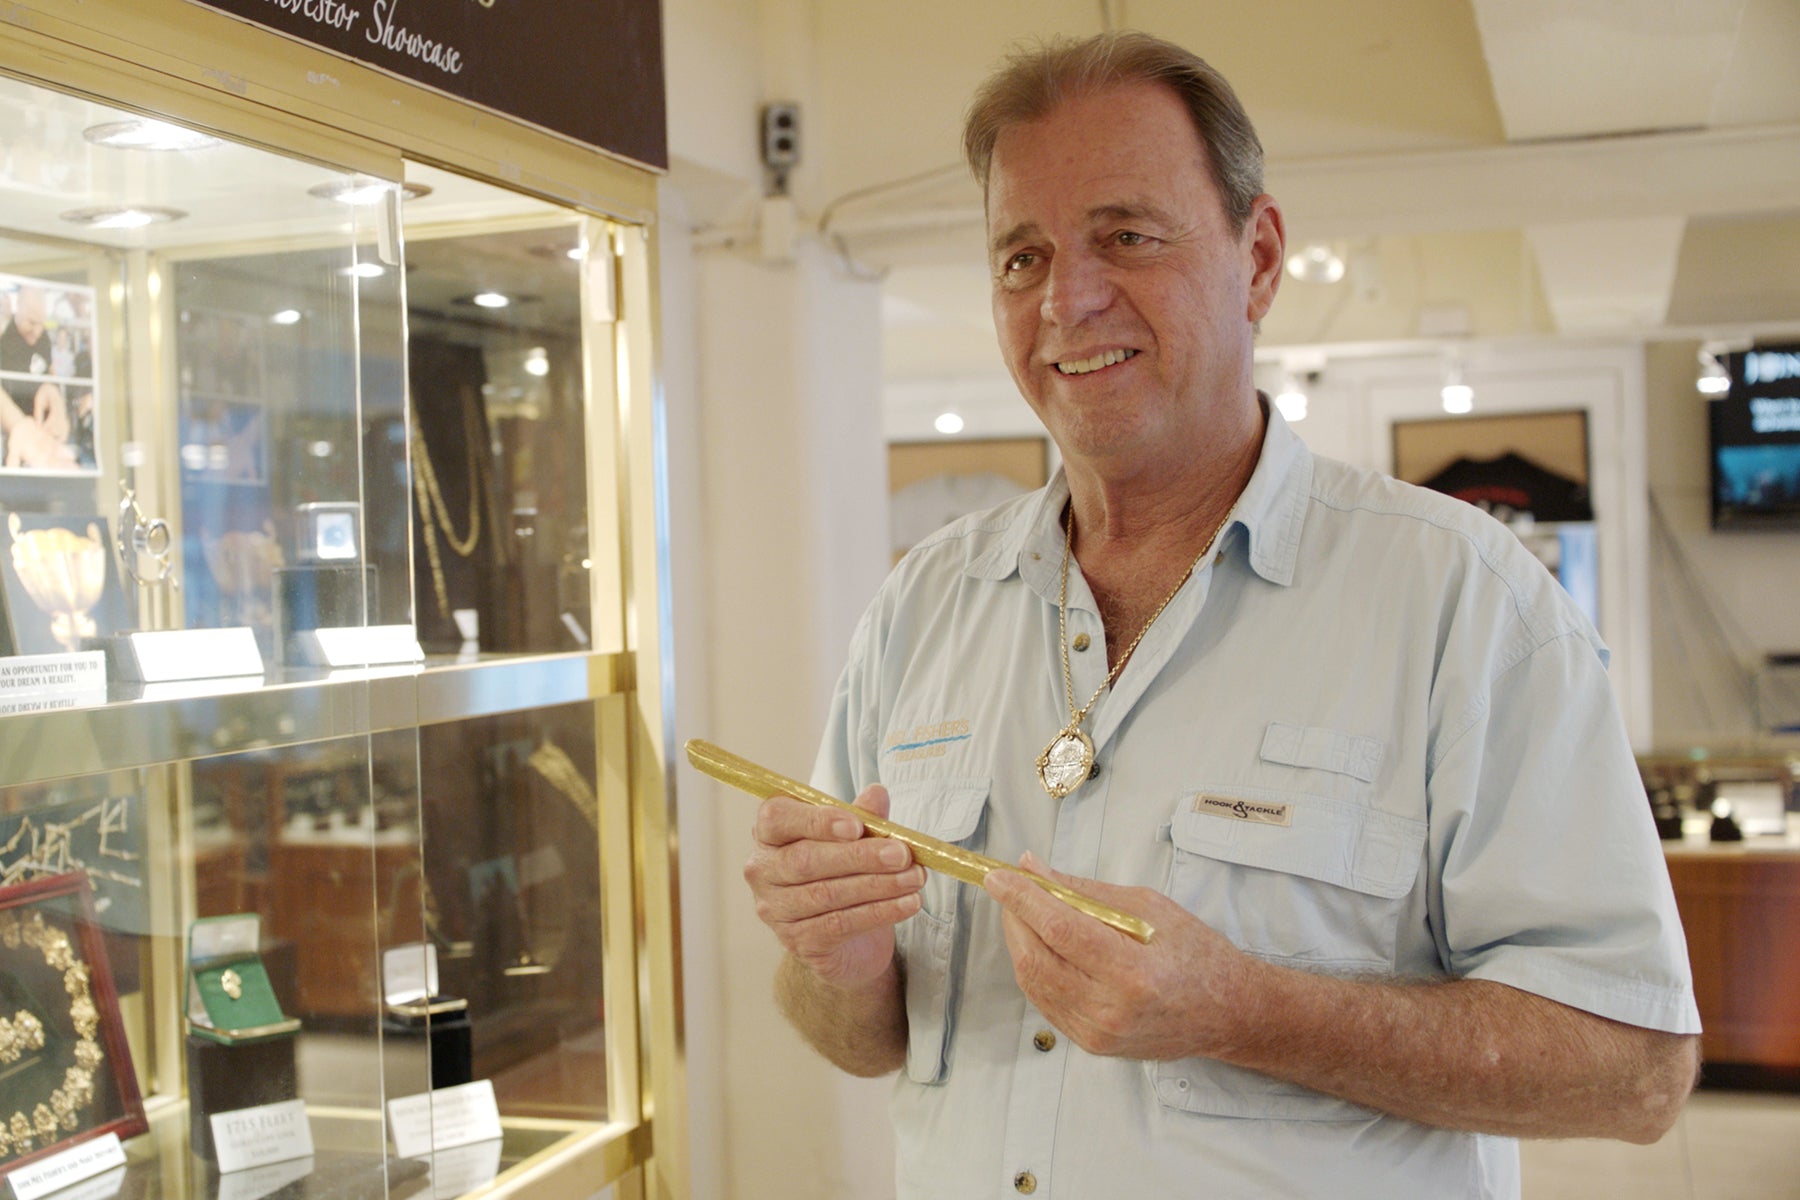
[1725, 1147]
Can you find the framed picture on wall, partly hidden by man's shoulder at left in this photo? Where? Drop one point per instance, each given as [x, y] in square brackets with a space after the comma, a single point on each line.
[930, 485]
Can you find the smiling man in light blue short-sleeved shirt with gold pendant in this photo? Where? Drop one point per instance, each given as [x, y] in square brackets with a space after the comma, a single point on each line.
[1340, 740]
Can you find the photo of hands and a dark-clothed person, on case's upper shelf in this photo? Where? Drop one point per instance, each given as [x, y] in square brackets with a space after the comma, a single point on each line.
[49, 393]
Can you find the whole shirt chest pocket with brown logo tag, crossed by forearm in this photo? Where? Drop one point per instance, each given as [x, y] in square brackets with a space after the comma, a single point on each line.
[1320, 893]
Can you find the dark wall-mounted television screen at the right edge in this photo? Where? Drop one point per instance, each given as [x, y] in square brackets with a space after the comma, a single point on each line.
[1756, 442]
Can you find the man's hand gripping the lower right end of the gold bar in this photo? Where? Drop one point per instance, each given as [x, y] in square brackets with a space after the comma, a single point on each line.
[1110, 994]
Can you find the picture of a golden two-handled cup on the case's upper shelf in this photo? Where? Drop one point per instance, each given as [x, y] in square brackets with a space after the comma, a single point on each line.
[60, 584]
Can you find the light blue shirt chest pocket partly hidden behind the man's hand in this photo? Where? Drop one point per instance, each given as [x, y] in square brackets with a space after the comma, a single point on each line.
[931, 942]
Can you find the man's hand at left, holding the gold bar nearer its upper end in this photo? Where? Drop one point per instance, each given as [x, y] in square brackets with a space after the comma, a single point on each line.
[832, 895]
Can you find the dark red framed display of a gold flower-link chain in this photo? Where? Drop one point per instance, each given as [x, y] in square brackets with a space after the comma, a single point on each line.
[66, 1073]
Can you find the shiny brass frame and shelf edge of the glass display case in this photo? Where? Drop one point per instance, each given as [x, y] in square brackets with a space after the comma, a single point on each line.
[175, 60]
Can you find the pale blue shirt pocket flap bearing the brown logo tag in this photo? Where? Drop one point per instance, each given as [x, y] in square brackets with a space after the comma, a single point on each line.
[1331, 841]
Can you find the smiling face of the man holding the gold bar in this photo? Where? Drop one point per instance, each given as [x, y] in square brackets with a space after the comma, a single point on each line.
[1122, 296]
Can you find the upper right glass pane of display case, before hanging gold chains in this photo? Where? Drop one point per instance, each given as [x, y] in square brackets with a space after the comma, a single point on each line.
[501, 443]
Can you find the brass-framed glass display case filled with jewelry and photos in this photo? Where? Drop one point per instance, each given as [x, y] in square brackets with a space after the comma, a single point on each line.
[334, 848]
